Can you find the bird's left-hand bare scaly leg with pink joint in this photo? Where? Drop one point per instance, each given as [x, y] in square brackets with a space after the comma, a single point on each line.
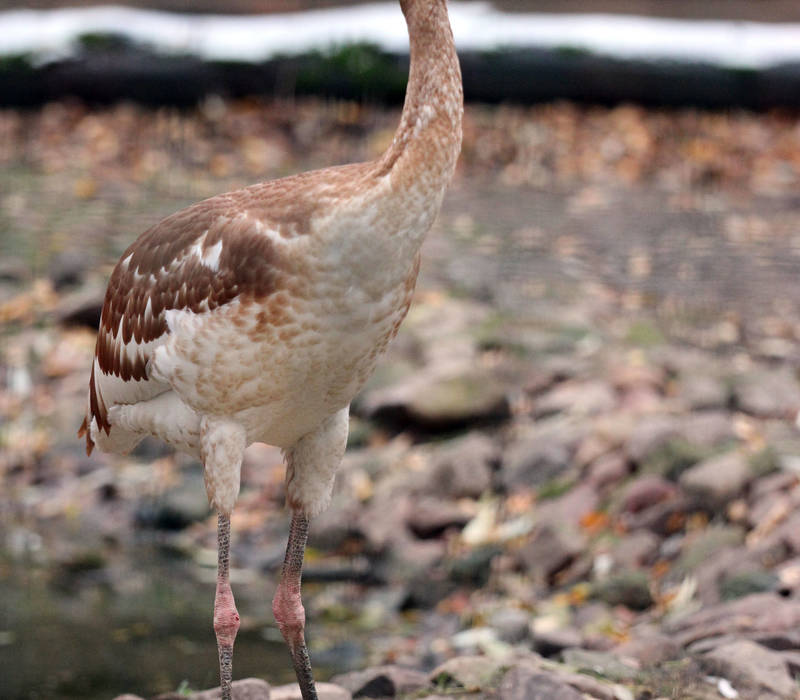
[226, 618]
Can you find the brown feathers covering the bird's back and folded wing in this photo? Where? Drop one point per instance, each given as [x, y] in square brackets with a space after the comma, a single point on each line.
[159, 272]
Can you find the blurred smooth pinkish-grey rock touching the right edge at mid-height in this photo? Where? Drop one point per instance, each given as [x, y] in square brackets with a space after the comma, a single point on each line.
[768, 393]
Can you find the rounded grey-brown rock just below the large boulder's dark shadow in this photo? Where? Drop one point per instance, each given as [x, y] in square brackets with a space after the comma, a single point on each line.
[463, 467]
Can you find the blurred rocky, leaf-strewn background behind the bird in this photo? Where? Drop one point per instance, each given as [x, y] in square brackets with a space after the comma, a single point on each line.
[584, 437]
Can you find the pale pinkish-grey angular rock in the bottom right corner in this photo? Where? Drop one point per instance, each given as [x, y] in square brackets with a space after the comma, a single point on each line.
[751, 667]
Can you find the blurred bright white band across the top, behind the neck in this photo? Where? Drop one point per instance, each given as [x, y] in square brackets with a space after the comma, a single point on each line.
[51, 34]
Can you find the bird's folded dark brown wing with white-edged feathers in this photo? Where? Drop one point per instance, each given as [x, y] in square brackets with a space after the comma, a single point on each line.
[197, 260]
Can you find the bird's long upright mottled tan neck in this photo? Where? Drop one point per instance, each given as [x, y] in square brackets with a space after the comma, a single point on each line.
[423, 153]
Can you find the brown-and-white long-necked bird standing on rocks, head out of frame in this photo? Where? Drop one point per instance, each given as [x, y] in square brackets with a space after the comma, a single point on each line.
[257, 315]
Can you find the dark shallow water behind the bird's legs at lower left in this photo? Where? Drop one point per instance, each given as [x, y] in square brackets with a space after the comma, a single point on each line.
[68, 636]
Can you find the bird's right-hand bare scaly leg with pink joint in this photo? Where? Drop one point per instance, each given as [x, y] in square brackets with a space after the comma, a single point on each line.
[287, 605]
